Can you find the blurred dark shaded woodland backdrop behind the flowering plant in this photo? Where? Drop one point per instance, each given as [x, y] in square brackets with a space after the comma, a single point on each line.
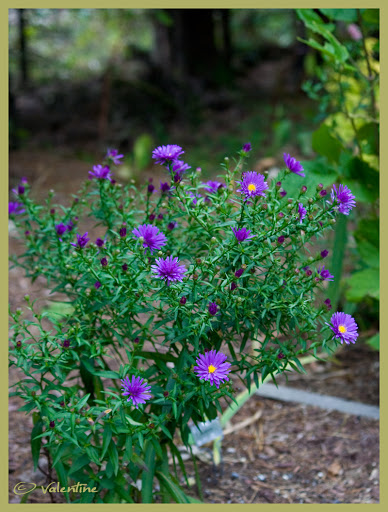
[209, 80]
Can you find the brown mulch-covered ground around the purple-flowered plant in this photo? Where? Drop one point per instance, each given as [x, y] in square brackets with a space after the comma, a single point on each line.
[292, 454]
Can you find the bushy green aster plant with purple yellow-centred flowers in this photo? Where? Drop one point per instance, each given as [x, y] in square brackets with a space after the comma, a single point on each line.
[177, 299]
